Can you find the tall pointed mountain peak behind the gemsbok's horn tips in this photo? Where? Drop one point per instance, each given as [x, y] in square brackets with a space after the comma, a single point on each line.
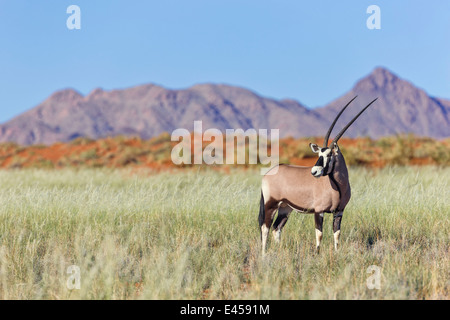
[401, 108]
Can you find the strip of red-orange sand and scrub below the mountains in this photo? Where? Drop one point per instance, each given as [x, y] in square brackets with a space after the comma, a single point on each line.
[155, 153]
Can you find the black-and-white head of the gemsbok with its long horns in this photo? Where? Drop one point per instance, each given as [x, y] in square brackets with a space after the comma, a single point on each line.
[327, 154]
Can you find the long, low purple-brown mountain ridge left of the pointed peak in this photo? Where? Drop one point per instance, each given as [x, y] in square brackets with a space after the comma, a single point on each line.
[149, 110]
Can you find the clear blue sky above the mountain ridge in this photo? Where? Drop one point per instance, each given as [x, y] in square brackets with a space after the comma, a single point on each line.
[311, 51]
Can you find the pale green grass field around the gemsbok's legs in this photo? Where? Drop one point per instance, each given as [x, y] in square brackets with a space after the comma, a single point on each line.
[194, 235]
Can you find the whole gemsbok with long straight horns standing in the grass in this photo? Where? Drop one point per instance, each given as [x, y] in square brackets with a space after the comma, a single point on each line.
[323, 188]
